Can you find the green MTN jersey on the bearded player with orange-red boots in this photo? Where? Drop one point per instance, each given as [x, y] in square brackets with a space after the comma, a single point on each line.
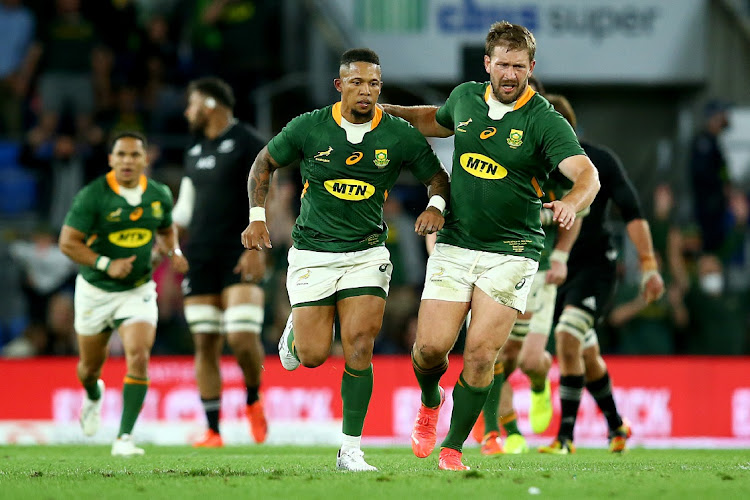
[498, 168]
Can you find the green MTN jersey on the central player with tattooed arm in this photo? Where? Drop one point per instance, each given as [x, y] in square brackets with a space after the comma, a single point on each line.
[346, 184]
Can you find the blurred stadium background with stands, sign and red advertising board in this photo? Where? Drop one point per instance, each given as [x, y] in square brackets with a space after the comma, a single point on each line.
[638, 73]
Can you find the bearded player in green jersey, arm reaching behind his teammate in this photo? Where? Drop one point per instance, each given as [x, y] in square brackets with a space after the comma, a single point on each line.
[507, 140]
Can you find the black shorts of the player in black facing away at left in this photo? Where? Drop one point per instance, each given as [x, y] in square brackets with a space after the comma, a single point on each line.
[210, 276]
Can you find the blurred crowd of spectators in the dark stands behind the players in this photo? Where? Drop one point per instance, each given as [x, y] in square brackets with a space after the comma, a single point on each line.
[73, 72]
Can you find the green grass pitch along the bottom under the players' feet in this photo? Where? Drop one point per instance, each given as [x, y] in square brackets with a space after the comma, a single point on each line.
[260, 472]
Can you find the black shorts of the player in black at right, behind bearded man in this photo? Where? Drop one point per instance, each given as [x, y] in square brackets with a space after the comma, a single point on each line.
[589, 288]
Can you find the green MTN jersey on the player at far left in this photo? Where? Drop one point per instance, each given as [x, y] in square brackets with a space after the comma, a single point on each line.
[116, 229]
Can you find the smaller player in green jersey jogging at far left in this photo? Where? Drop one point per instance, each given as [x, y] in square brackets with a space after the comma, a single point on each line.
[110, 231]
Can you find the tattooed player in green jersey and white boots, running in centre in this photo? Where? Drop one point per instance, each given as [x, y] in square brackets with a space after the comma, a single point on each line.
[351, 154]
